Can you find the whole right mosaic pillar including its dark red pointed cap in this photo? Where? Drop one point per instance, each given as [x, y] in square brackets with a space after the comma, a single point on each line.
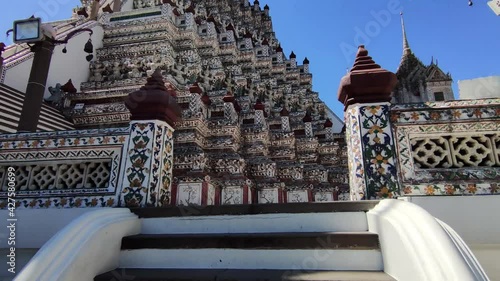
[366, 91]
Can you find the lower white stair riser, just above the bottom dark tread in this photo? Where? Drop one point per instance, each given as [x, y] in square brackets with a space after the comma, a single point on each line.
[284, 259]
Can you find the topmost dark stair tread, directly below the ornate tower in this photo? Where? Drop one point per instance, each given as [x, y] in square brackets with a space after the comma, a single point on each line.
[253, 209]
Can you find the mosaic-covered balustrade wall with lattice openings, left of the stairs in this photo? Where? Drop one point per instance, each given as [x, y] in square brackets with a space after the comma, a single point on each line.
[81, 157]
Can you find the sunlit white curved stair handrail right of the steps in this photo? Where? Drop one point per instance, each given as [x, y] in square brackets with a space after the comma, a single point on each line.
[415, 246]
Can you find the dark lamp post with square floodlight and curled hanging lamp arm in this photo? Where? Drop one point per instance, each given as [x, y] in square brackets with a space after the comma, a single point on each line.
[41, 39]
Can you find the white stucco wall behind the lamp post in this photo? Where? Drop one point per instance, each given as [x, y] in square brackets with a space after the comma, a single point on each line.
[63, 67]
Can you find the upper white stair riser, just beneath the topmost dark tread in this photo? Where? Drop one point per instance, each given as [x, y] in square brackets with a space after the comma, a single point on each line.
[261, 223]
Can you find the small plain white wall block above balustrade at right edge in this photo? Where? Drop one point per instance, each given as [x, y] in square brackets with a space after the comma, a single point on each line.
[480, 88]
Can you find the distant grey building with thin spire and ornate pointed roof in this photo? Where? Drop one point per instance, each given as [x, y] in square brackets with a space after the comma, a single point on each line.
[419, 82]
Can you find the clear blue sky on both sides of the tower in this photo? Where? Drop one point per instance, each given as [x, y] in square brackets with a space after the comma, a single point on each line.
[465, 40]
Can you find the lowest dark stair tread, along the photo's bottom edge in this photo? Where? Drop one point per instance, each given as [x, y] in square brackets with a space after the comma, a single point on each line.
[141, 274]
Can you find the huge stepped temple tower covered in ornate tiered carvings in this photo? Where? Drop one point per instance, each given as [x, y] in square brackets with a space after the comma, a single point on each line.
[251, 129]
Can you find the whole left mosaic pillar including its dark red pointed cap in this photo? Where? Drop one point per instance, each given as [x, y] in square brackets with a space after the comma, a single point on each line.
[149, 153]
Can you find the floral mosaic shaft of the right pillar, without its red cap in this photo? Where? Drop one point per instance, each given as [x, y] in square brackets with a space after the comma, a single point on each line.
[371, 152]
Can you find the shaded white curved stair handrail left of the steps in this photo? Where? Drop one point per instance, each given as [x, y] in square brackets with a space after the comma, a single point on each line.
[88, 246]
